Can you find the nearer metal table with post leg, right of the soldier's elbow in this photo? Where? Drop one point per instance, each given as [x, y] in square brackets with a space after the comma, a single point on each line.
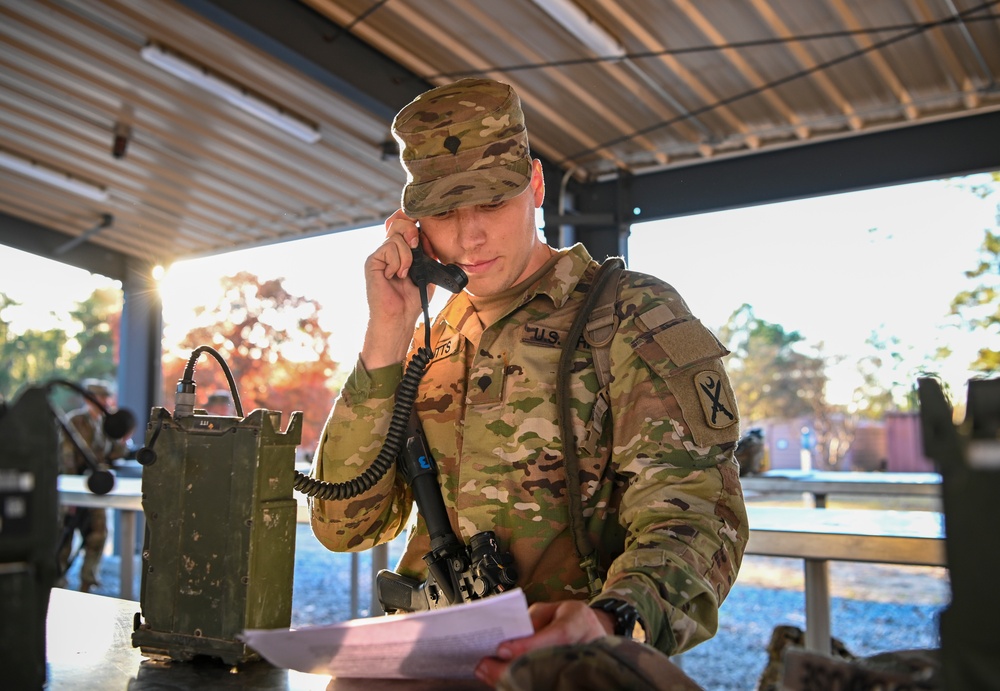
[819, 536]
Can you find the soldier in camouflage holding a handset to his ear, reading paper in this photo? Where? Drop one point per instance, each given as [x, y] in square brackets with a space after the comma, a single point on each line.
[661, 498]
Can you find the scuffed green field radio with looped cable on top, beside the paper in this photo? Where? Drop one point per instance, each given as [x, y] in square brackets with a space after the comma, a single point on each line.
[219, 549]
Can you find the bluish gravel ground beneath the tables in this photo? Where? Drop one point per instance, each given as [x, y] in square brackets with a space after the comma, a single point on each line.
[875, 608]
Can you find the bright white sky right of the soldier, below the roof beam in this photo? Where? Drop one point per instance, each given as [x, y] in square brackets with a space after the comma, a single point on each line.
[835, 268]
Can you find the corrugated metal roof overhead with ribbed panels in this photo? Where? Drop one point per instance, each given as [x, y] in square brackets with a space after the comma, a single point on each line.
[693, 82]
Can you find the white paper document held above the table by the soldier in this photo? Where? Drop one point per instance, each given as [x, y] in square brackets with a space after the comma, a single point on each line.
[438, 644]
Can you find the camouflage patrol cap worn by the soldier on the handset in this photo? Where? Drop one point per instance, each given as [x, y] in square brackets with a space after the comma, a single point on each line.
[460, 144]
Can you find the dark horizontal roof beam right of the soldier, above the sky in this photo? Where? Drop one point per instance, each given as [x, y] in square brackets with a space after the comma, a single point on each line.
[947, 148]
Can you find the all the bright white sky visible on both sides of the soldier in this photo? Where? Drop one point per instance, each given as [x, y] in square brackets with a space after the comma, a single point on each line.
[832, 268]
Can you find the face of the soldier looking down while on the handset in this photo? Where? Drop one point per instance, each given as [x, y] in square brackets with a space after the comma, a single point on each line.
[497, 245]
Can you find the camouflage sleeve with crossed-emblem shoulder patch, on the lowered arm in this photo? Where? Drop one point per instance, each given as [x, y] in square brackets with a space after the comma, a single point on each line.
[675, 429]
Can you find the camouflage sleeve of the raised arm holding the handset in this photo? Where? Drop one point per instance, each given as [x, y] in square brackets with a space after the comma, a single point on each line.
[351, 440]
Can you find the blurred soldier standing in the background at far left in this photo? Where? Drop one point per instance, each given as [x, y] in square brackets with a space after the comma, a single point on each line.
[91, 523]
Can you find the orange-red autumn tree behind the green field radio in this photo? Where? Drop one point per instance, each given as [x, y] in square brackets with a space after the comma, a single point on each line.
[272, 343]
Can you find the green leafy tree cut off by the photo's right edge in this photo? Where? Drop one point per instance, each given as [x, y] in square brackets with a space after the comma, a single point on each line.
[978, 308]
